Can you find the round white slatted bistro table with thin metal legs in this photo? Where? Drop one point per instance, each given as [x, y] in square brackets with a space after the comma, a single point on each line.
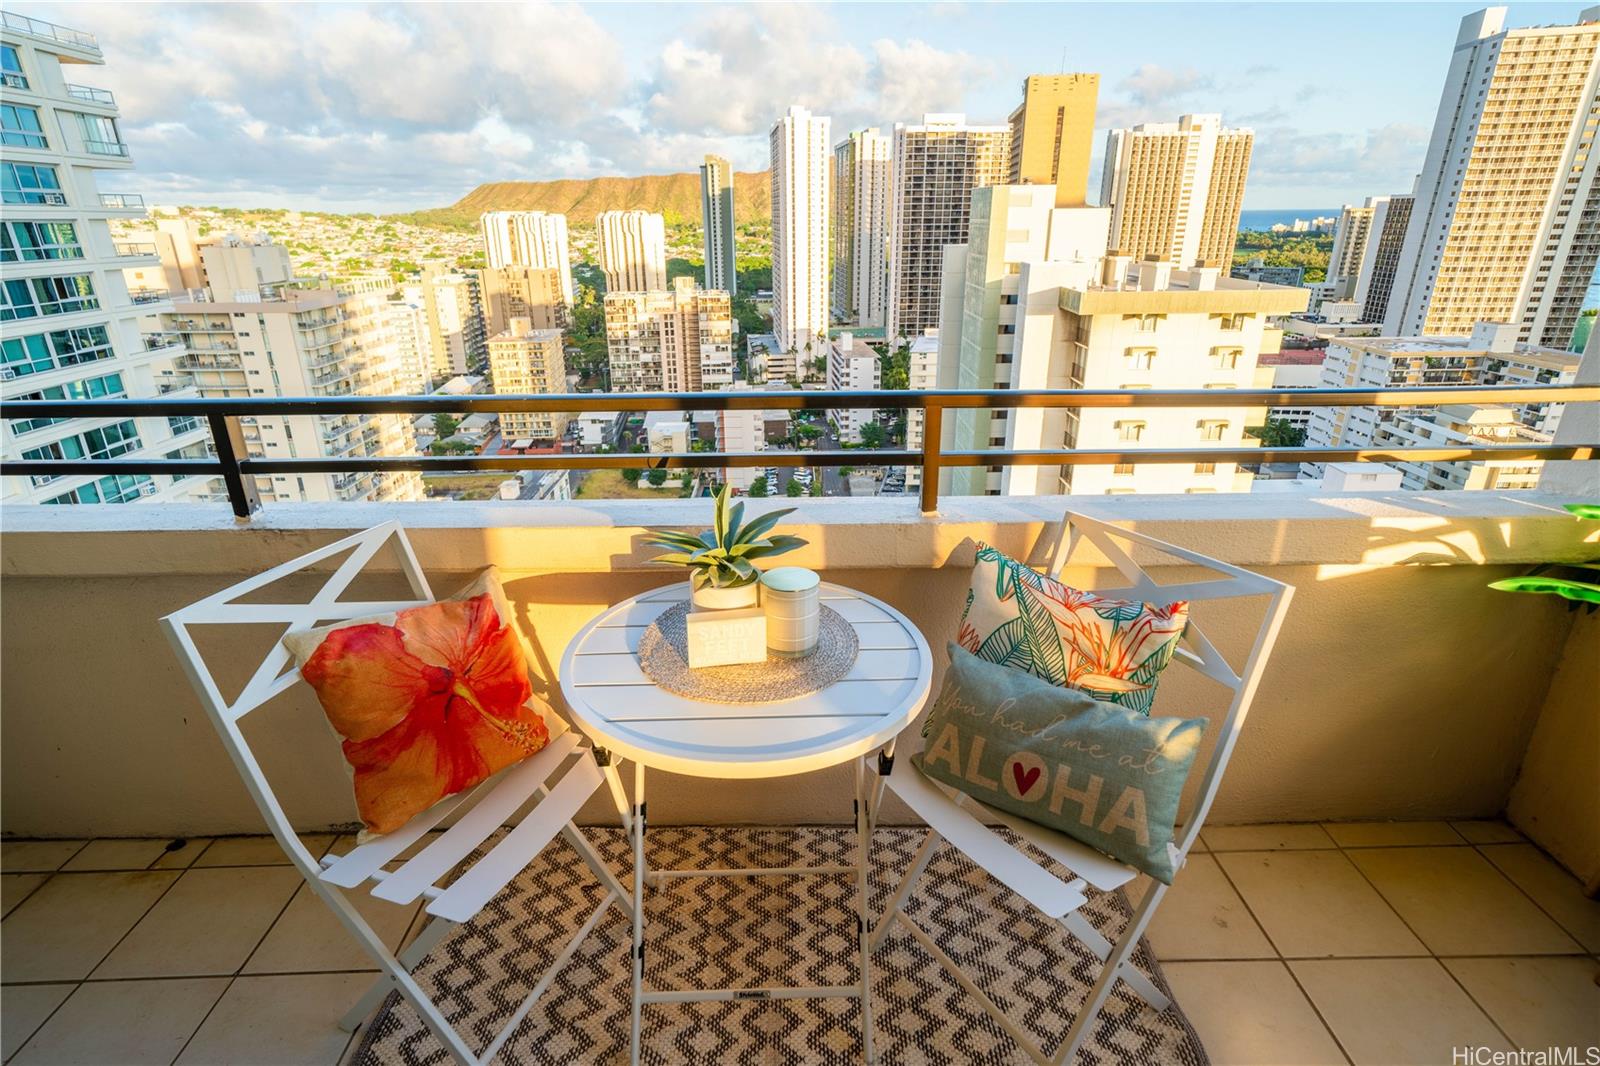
[630, 718]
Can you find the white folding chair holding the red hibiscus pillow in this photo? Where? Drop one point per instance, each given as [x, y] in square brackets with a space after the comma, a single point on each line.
[479, 812]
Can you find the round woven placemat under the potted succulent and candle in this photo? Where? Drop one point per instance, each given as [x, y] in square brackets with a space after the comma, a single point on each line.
[663, 655]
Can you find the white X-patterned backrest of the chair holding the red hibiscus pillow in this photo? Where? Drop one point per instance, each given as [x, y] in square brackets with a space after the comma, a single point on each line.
[276, 675]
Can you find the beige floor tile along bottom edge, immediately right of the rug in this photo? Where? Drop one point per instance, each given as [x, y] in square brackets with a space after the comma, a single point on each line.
[1252, 1014]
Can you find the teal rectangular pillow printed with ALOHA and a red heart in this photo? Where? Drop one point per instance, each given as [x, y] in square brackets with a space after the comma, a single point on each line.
[1105, 775]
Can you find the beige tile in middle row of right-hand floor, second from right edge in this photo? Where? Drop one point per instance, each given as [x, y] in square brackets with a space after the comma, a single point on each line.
[1460, 905]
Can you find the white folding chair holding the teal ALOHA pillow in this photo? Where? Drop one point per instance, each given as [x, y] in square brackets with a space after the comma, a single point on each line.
[966, 824]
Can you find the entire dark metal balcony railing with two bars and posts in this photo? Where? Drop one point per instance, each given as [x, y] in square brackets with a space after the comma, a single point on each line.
[239, 471]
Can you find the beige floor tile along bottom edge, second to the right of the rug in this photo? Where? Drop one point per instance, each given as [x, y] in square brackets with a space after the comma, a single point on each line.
[1396, 1011]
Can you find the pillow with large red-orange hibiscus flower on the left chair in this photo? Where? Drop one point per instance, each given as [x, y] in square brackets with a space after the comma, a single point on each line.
[430, 702]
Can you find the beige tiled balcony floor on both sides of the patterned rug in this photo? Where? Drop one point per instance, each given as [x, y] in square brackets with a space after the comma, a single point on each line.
[1300, 944]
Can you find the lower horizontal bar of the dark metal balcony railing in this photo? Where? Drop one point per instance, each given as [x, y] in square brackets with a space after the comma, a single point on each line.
[745, 460]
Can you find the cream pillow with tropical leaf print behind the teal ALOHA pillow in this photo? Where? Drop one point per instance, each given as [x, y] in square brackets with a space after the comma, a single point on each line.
[1110, 649]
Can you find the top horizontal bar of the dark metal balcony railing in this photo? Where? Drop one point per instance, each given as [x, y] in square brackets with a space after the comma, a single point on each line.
[735, 401]
